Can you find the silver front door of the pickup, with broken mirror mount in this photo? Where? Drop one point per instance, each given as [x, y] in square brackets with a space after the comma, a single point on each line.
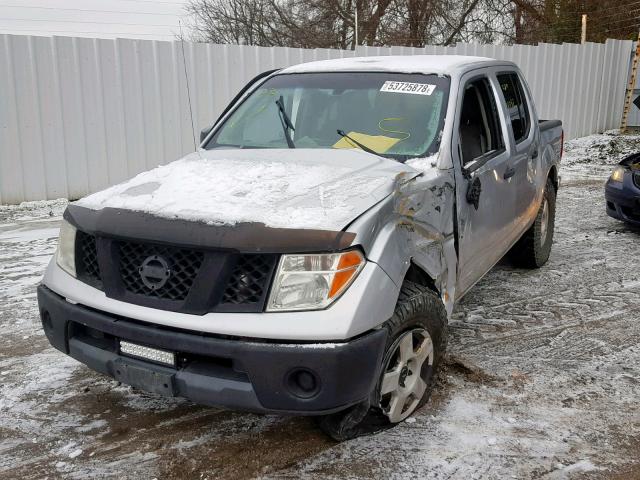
[480, 144]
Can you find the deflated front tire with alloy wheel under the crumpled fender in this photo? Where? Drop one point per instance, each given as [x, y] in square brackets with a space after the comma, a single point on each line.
[419, 317]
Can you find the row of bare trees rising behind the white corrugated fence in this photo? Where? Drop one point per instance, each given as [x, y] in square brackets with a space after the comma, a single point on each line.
[331, 23]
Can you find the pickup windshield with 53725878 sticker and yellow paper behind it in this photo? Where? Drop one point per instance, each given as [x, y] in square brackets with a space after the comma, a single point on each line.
[393, 114]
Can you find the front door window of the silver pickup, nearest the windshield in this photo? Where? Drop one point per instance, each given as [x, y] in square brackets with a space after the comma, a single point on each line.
[480, 132]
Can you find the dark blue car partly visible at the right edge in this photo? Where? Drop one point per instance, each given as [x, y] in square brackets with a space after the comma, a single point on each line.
[622, 191]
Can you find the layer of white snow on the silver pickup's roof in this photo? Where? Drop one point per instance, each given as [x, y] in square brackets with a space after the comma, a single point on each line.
[442, 64]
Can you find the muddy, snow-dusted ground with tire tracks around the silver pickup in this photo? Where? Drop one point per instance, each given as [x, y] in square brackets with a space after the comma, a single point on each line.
[543, 379]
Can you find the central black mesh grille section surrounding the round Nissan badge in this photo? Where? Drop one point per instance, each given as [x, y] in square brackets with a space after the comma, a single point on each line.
[183, 264]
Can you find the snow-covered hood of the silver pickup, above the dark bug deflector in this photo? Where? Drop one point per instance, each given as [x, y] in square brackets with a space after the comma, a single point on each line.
[301, 188]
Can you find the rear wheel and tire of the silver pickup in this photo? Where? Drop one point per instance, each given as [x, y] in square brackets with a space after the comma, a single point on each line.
[534, 248]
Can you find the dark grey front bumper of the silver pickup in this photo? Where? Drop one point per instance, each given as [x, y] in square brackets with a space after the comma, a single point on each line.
[245, 374]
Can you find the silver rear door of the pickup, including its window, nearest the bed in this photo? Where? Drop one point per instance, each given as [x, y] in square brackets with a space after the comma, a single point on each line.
[525, 161]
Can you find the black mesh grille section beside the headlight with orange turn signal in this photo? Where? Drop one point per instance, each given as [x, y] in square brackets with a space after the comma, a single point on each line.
[249, 280]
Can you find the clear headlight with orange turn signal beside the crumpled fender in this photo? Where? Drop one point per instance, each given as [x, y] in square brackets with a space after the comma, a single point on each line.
[313, 282]
